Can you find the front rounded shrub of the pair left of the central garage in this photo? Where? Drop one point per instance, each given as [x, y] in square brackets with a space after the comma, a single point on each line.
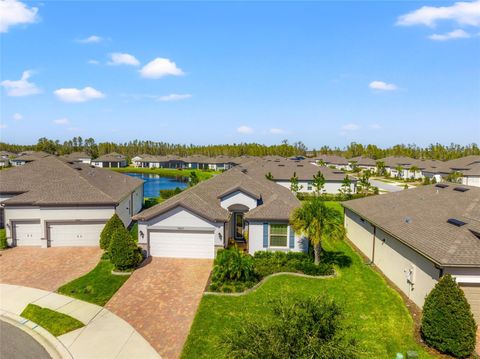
[124, 253]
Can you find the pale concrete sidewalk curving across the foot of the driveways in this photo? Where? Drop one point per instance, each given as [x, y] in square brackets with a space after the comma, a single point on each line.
[105, 335]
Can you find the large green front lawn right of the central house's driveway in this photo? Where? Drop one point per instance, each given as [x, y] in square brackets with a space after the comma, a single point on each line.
[374, 313]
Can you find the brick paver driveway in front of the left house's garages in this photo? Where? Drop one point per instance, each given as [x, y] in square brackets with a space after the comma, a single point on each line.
[46, 268]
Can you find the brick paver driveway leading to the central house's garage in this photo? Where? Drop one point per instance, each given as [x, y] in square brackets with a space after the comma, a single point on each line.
[160, 301]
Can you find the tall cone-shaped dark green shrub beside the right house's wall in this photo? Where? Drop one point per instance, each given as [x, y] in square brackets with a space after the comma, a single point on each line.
[448, 324]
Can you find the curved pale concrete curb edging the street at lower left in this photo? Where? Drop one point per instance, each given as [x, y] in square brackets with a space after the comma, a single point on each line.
[48, 341]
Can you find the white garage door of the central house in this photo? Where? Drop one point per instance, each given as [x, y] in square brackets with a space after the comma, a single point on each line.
[182, 244]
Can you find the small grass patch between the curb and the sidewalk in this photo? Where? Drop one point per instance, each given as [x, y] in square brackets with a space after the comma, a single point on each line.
[55, 322]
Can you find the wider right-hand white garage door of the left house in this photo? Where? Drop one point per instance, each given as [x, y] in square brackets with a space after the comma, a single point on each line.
[75, 235]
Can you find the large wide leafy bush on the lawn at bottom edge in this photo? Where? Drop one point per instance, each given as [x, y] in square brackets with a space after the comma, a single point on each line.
[304, 328]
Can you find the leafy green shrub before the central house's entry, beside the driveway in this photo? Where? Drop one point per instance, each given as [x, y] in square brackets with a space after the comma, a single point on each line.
[232, 265]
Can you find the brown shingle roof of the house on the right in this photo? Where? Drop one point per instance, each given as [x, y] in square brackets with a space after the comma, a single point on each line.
[427, 209]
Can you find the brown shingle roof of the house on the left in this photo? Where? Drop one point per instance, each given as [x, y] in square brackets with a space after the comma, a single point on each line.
[53, 181]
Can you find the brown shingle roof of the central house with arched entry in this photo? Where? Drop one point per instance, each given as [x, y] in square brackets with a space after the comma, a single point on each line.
[203, 199]
